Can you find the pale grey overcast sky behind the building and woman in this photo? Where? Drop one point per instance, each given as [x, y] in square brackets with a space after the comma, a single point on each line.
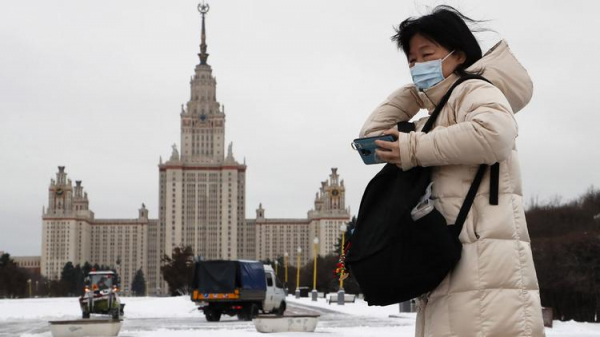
[97, 87]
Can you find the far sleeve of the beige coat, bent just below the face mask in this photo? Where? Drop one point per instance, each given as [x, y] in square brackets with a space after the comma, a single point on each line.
[400, 106]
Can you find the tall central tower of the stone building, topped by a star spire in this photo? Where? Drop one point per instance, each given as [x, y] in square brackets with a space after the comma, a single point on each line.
[202, 189]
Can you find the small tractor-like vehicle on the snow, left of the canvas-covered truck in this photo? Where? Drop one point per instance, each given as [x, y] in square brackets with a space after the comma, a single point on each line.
[101, 295]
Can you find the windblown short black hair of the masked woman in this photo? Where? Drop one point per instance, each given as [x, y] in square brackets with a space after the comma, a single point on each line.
[445, 26]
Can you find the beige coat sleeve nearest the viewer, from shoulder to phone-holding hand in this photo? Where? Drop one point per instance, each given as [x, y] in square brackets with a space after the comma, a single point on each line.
[484, 132]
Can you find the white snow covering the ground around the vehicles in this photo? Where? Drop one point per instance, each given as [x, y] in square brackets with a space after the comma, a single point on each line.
[178, 317]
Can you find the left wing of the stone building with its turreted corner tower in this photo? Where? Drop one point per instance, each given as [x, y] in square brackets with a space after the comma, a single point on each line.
[71, 233]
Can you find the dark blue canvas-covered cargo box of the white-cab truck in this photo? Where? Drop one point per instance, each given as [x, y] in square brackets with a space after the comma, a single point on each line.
[229, 280]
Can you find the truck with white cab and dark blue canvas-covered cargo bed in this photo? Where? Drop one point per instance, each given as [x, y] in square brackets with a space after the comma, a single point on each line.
[236, 288]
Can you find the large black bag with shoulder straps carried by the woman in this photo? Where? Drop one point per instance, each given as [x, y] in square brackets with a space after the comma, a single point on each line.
[392, 257]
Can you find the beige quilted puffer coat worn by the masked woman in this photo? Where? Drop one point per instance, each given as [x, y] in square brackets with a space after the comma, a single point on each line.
[493, 291]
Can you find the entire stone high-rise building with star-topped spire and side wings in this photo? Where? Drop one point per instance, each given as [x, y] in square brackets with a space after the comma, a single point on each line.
[202, 198]
